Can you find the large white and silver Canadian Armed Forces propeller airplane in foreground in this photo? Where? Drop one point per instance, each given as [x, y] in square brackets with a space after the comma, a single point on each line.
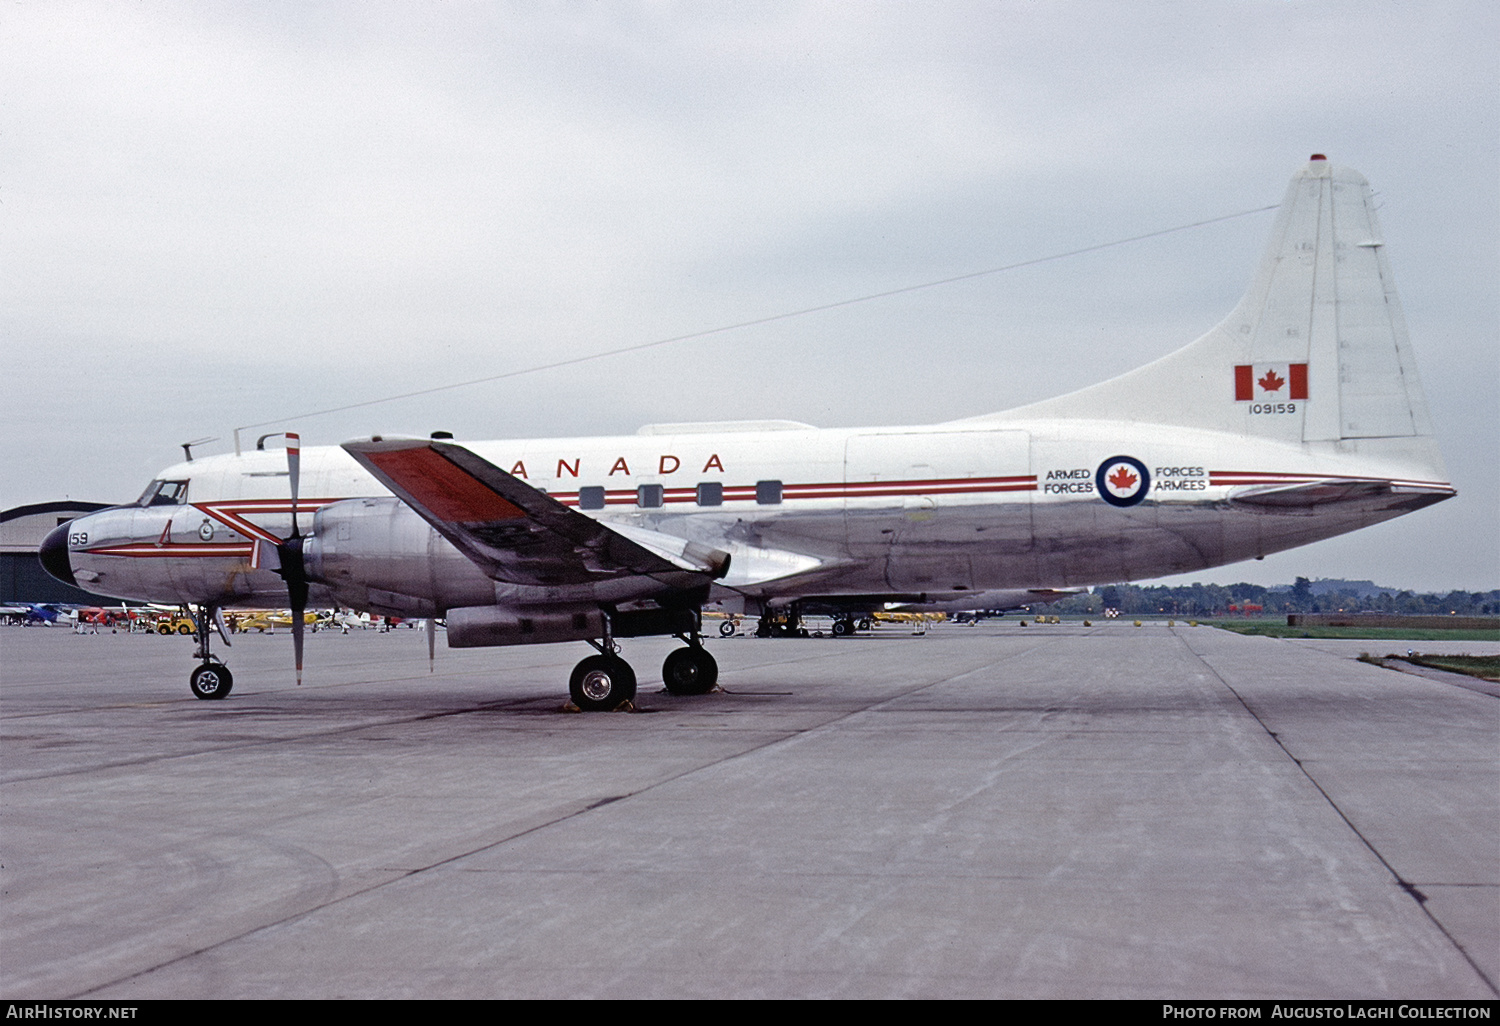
[1298, 418]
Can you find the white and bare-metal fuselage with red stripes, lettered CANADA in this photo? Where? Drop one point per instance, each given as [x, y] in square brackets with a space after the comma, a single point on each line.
[931, 512]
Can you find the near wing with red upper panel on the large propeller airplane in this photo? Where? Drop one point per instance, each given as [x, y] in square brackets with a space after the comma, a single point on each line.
[518, 535]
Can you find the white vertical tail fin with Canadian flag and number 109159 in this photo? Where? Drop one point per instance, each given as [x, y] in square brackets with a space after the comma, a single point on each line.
[1318, 350]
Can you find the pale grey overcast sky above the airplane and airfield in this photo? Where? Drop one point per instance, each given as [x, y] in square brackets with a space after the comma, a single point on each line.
[217, 215]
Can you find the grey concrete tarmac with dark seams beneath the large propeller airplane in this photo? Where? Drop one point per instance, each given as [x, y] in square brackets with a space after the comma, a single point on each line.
[983, 812]
